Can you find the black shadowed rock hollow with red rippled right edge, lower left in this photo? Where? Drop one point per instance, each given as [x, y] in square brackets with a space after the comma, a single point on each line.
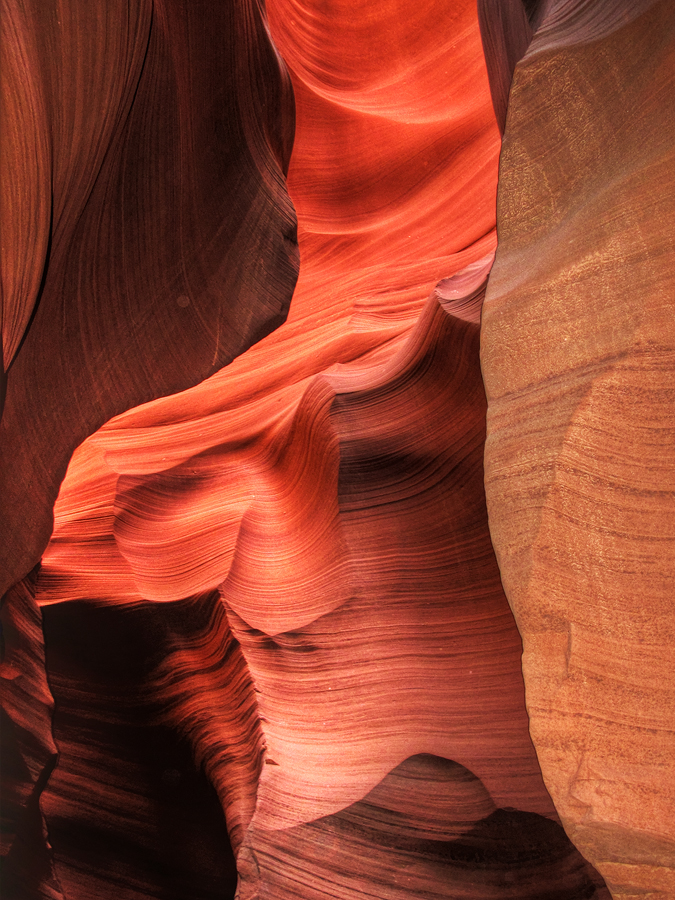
[129, 812]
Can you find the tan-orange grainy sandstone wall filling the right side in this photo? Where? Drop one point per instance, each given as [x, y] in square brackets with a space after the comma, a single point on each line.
[578, 359]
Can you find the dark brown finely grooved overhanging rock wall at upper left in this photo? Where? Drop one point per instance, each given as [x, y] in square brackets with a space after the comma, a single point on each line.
[148, 234]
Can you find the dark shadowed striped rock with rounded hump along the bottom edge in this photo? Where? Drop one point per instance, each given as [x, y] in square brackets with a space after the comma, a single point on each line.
[428, 829]
